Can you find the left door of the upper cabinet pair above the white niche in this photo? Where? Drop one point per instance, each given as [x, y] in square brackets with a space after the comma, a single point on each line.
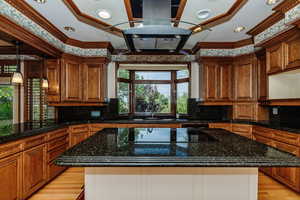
[275, 59]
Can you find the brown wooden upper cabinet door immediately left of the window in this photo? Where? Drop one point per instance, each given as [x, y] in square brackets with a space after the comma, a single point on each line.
[94, 86]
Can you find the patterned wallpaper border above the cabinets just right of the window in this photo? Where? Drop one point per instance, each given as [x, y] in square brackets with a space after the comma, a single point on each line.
[227, 52]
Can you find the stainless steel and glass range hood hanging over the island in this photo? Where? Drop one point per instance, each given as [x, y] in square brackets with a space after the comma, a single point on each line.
[157, 33]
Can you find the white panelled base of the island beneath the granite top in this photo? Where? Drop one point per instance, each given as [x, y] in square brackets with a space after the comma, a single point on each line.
[167, 183]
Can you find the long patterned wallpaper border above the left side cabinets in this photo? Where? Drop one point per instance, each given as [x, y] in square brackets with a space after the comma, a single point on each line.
[19, 18]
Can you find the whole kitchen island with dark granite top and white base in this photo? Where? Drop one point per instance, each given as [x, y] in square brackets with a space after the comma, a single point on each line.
[164, 163]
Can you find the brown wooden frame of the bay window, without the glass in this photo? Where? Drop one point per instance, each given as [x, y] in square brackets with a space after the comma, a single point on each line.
[173, 83]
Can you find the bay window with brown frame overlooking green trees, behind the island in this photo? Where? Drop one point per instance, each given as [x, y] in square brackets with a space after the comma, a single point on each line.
[151, 93]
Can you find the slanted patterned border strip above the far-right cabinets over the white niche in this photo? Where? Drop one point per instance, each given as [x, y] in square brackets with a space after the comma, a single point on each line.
[271, 31]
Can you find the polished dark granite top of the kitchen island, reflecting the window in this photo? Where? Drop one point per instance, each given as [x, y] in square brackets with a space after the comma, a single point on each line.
[164, 147]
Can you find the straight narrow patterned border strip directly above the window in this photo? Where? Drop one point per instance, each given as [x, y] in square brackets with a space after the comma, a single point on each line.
[153, 58]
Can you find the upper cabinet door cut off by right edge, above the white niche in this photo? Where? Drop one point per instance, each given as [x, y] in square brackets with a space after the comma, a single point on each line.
[292, 52]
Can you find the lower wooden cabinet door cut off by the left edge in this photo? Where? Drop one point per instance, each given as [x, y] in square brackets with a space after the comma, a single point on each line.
[10, 173]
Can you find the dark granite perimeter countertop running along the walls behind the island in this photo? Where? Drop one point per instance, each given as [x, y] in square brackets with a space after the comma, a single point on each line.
[15, 132]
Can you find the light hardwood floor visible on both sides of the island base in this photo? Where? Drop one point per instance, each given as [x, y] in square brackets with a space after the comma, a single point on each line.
[68, 186]
